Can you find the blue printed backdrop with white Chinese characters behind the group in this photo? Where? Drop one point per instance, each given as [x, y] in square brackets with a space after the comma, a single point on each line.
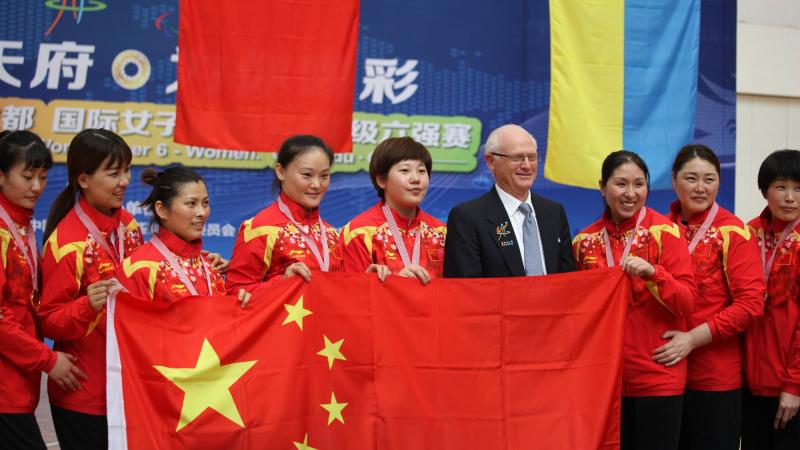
[486, 62]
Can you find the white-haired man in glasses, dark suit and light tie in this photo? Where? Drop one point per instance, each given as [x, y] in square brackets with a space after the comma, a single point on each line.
[509, 231]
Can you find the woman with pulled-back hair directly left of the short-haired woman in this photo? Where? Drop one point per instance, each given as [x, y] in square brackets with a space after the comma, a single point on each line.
[289, 237]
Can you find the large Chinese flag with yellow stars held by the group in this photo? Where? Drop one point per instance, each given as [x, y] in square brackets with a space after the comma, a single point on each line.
[348, 362]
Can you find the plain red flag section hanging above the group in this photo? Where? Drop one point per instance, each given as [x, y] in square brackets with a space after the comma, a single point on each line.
[253, 73]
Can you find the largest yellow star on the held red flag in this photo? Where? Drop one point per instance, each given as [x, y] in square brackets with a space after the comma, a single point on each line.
[207, 385]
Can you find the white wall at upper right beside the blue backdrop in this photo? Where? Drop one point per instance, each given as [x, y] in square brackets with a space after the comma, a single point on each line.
[768, 91]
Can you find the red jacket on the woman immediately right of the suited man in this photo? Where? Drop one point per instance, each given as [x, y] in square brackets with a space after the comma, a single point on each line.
[659, 303]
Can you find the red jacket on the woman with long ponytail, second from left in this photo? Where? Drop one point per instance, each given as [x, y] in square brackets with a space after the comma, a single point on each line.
[71, 261]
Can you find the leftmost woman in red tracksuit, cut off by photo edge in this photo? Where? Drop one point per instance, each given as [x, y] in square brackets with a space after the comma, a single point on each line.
[24, 163]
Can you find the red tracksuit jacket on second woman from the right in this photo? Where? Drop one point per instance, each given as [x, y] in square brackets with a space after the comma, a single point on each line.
[730, 296]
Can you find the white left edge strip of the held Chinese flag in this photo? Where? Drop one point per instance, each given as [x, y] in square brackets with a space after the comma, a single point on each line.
[117, 436]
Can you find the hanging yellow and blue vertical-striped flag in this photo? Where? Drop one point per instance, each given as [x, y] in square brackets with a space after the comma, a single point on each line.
[623, 75]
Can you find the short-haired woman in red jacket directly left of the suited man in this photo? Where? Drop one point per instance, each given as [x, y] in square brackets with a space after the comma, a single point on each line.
[395, 235]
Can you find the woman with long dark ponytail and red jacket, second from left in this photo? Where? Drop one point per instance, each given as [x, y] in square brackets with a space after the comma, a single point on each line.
[85, 242]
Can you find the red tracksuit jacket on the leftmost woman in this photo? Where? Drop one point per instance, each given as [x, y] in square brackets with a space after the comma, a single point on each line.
[23, 355]
